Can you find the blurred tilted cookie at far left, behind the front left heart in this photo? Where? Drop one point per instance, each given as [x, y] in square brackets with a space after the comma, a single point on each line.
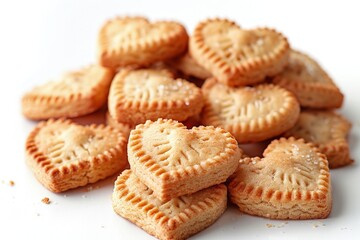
[74, 94]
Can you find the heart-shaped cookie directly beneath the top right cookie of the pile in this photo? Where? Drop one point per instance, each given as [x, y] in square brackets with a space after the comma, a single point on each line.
[251, 114]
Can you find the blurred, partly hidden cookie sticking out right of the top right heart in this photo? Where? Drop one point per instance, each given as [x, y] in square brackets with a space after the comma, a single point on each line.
[309, 82]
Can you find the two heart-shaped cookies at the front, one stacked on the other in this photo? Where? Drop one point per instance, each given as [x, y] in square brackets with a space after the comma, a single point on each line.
[175, 185]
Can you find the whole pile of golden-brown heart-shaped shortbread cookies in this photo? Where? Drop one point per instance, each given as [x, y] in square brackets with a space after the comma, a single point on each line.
[178, 108]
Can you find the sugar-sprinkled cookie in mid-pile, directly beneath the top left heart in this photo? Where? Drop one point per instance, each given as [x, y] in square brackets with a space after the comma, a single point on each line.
[138, 95]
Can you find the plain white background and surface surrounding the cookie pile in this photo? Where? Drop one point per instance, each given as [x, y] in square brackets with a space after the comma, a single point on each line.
[42, 39]
